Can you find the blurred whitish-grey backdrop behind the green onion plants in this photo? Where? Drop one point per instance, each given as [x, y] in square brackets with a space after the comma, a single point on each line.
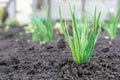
[21, 10]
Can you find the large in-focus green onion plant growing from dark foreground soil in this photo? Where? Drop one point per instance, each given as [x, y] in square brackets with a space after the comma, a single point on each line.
[83, 42]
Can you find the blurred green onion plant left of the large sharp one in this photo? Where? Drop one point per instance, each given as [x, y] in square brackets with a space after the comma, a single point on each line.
[42, 31]
